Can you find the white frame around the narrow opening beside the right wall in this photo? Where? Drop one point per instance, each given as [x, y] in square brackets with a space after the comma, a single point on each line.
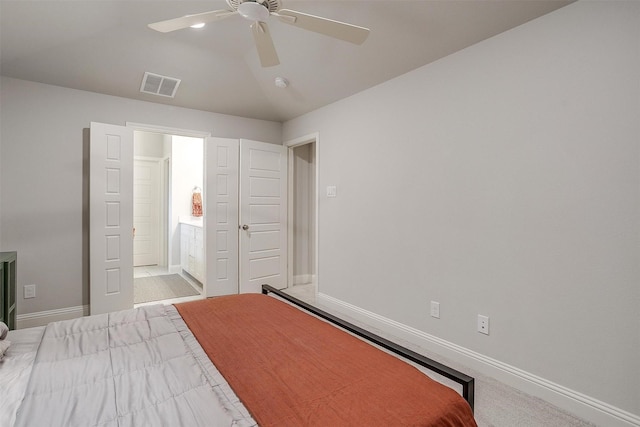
[291, 144]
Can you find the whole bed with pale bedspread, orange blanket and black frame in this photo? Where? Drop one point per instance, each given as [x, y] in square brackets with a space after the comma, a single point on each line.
[241, 360]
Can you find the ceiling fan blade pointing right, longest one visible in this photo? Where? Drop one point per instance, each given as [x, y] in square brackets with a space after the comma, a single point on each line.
[328, 27]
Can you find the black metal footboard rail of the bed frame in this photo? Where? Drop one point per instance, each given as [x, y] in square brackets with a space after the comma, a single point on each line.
[466, 381]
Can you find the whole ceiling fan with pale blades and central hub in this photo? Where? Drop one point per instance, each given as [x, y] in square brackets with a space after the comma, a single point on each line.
[258, 11]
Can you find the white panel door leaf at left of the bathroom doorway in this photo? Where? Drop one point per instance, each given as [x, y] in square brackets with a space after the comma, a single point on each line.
[110, 218]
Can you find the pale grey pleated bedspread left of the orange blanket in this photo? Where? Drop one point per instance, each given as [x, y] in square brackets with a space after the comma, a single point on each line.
[140, 367]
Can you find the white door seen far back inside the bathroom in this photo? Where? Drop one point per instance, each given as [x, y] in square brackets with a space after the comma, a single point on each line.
[146, 209]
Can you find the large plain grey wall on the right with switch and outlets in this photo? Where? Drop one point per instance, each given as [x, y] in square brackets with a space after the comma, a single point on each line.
[502, 180]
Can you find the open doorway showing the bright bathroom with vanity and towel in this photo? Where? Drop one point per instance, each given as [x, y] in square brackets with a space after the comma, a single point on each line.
[168, 249]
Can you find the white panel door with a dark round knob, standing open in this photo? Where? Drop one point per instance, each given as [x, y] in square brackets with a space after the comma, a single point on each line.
[263, 216]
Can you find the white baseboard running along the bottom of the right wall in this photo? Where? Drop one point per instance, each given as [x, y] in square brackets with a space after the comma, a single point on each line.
[583, 406]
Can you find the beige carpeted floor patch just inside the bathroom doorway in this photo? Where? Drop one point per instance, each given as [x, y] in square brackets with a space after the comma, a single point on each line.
[156, 288]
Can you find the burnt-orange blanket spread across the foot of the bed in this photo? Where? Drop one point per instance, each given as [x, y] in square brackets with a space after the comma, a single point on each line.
[292, 369]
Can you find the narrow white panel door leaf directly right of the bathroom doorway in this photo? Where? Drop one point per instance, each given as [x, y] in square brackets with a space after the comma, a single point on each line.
[221, 216]
